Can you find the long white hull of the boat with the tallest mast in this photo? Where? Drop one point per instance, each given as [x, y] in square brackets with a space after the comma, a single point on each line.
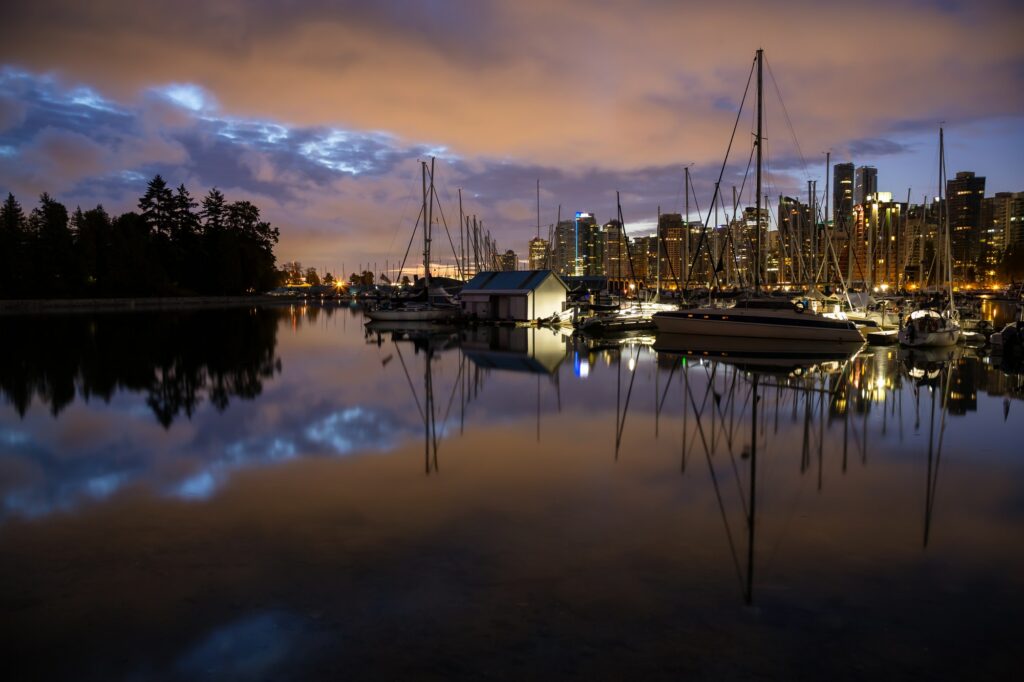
[731, 322]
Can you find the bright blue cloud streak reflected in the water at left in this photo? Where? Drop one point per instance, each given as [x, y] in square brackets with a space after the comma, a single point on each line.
[87, 462]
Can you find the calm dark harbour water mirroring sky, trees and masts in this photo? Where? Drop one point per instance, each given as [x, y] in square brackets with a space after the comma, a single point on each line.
[276, 494]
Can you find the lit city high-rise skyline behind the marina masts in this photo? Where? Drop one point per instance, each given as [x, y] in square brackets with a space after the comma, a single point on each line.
[868, 239]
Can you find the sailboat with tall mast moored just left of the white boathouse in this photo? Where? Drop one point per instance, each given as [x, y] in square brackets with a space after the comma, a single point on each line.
[425, 305]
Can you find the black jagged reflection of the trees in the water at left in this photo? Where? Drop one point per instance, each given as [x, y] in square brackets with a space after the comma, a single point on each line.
[175, 359]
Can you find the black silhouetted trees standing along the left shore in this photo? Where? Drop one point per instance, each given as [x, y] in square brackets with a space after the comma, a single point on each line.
[173, 246]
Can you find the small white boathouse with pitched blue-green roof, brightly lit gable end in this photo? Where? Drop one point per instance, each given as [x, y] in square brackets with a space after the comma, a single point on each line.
[520, 295]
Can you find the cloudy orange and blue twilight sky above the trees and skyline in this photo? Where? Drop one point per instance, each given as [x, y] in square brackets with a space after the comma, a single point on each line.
[319, 112]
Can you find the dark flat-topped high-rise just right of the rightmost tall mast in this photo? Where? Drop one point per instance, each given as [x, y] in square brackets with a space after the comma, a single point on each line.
[964, 199]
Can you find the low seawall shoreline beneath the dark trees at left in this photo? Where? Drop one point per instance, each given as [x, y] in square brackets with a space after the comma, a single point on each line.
[51, 306]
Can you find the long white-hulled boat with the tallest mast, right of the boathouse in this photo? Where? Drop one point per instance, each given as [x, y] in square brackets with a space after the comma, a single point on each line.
[758, 318]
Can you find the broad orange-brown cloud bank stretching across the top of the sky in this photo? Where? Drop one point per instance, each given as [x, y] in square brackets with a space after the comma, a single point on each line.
[568, 84]
